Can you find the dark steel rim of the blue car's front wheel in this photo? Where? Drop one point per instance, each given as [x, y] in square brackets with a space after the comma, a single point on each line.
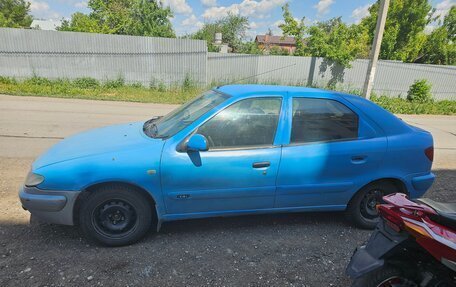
[115, 218]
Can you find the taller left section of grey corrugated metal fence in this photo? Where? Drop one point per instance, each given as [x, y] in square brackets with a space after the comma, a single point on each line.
[52, 54]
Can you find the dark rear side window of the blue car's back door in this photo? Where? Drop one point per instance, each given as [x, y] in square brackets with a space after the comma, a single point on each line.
[316, 120]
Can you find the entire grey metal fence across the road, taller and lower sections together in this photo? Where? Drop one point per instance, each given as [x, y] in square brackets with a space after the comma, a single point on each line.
[148, 60]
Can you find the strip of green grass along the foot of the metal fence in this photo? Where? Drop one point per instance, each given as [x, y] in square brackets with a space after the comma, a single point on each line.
[118, 90]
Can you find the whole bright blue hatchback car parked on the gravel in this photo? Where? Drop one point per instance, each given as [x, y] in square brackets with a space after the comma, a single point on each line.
[237, 149]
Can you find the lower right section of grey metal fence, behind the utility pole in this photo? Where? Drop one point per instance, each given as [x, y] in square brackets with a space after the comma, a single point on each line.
[392, 78]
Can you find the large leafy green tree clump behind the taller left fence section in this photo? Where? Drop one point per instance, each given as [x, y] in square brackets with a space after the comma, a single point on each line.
[124, 17]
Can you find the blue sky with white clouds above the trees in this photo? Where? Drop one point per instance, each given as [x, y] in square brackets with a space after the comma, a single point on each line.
[190, 15]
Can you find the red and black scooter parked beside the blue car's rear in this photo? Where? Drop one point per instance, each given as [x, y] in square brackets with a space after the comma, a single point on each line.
[414, 244]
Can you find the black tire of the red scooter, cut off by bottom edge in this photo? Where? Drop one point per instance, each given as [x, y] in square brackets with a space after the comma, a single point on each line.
[386, 276]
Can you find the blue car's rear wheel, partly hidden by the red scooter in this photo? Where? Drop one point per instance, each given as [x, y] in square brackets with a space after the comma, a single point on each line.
[361, 209]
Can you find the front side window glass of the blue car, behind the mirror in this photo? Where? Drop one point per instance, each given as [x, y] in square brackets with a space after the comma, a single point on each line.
[247, 123]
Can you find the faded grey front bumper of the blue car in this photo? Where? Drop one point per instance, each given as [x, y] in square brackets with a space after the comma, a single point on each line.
[51, 206]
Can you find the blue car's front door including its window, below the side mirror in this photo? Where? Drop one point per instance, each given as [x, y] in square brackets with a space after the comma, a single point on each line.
[239, 170]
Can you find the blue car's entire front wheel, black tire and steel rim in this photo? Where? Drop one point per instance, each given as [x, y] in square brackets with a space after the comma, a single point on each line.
[115, 215]
